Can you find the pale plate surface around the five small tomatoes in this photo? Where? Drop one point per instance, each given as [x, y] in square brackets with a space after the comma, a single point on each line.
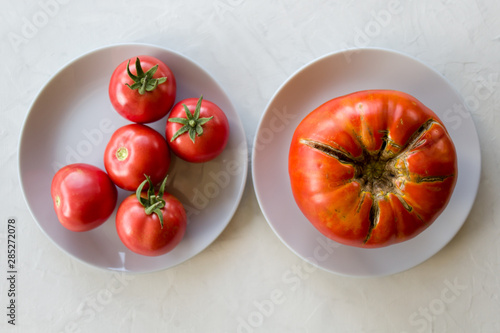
[71, 120]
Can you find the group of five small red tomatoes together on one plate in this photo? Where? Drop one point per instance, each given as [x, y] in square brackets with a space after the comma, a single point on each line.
[137, 158]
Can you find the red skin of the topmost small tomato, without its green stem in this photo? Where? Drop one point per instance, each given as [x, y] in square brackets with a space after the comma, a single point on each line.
[138, 108]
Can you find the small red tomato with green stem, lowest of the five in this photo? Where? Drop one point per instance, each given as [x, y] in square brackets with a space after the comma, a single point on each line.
[151, 224]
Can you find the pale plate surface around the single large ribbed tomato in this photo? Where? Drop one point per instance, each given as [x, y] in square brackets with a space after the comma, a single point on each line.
[335, 75]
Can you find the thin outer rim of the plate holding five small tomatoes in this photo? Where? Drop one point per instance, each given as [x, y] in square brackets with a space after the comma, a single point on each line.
[71, 62]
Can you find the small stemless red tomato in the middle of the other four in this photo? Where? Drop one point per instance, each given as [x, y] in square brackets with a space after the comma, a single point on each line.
[133, 151]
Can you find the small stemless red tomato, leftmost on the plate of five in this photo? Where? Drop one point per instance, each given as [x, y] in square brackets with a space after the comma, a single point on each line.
[84, 196]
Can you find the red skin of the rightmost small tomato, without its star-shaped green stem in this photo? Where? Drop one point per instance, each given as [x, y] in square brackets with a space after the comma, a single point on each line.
[207, 146]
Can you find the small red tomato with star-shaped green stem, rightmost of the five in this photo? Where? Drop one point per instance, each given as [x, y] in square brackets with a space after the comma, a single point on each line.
[197, 130]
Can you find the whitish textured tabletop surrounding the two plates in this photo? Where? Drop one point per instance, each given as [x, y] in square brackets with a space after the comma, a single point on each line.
[247, 280]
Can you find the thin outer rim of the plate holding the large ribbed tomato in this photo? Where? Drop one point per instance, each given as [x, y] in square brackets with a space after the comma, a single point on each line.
[305, 67]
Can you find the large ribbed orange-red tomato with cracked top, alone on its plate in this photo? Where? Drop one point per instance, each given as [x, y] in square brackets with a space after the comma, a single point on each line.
[372, 168]
